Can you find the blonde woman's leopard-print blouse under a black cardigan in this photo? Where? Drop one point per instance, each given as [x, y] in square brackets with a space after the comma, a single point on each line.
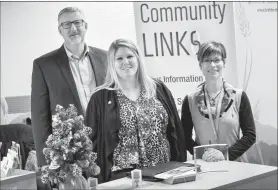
[142, 138]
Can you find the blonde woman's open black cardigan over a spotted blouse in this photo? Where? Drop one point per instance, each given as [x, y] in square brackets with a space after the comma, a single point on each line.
[103, 117]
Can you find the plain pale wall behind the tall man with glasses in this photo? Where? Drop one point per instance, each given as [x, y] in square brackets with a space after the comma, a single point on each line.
[29, 30]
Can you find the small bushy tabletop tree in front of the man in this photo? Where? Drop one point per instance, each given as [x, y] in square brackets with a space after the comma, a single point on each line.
[69, 149]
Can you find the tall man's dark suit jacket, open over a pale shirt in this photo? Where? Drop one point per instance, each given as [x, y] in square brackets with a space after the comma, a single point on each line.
[52, 84]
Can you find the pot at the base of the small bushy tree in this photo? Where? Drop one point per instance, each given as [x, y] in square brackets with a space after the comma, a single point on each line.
[74, 183]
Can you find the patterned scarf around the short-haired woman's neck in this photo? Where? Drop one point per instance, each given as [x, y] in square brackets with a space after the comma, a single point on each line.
[228, 99]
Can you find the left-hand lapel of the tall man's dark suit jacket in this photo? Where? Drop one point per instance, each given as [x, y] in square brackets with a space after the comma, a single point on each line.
[63, 62]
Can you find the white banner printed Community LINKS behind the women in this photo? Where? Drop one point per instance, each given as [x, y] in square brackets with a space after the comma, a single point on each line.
[169, 35]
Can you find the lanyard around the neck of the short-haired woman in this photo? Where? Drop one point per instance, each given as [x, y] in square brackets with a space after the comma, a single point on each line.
[215, 126]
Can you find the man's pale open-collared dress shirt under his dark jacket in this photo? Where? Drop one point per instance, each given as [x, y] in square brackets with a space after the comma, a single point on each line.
[83, 75]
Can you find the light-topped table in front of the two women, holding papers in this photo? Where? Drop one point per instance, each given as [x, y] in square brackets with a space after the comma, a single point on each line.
[226, 175]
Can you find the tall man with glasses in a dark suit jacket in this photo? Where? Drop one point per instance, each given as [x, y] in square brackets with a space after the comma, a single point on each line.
[67, 75]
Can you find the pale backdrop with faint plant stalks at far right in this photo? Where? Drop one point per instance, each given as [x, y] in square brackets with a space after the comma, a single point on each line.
[256, 45]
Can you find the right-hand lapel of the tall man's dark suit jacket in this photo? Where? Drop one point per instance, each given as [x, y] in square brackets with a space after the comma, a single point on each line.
[97, 66]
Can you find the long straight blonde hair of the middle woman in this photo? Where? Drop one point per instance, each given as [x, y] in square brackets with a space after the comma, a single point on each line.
[112, 79]
